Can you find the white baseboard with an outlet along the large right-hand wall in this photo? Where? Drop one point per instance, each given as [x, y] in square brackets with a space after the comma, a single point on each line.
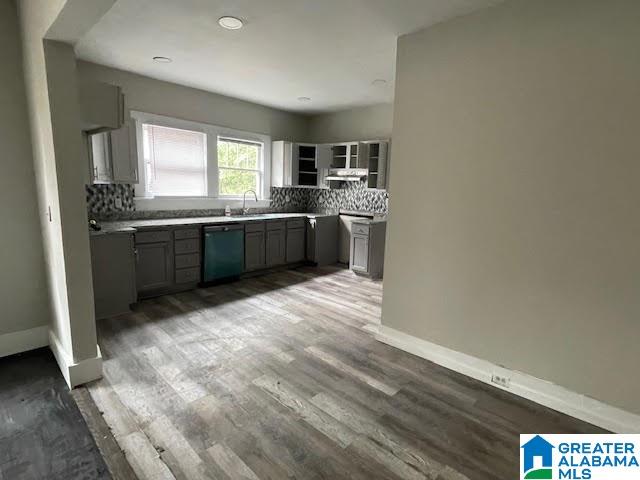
[521, 384]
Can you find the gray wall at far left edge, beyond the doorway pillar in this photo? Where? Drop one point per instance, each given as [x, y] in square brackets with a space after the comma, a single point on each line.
[23, 289]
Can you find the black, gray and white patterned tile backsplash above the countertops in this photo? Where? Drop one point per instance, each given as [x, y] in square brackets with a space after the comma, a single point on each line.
[101, 201]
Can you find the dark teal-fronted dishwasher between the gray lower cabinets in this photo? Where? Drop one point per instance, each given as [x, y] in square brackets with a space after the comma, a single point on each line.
[223, 252]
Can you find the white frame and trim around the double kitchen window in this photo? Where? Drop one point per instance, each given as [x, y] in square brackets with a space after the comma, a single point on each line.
[146, 201]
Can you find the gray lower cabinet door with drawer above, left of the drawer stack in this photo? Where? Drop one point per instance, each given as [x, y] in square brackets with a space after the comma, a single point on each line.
[154, 262]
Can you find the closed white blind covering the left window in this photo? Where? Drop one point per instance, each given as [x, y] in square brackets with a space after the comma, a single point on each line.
[175, 161]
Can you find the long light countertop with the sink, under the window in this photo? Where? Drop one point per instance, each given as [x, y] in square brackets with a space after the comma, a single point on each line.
[131, 226]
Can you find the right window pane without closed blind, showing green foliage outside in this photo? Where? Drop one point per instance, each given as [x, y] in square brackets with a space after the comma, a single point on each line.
[239, 167]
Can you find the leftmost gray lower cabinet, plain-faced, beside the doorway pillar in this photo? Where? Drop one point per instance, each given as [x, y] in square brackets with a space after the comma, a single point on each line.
[114, 276]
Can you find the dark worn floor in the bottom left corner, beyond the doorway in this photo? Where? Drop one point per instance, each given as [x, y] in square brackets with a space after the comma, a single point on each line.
[42, 434]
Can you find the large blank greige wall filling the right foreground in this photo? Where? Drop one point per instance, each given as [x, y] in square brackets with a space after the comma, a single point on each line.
[514, 232]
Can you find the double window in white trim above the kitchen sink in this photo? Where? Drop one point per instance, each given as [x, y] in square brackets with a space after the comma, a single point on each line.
[191, 165]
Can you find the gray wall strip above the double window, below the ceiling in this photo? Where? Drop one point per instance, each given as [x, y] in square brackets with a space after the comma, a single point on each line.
[162, 98]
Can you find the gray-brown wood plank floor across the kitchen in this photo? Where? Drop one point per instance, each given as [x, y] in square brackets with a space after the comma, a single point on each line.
[279, 377]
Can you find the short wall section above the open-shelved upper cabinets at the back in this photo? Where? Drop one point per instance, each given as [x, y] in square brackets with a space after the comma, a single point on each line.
[364, 123]
